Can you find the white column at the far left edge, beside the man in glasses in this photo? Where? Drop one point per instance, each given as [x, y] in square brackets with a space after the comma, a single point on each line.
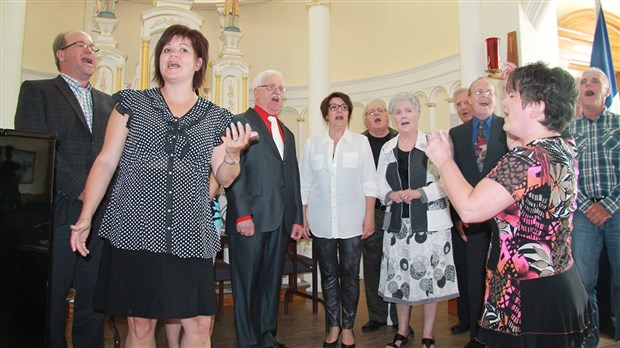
[13, 15]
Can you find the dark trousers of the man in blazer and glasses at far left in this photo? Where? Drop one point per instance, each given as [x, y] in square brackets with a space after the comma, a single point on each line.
[70, 269]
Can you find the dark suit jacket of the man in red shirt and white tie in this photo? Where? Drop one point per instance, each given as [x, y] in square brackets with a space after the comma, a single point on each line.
[267, 187]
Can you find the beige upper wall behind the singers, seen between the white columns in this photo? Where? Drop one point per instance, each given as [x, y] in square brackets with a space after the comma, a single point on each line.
[368, 39]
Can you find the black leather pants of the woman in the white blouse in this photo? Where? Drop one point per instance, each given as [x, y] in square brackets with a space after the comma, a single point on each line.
[339, 262]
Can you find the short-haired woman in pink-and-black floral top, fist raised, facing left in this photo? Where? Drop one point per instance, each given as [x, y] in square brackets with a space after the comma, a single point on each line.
[534, 295]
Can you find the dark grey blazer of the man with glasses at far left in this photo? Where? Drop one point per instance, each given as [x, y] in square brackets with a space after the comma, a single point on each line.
[51, 106]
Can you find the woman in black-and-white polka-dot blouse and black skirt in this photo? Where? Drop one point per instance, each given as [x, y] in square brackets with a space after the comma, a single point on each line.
[159, 232]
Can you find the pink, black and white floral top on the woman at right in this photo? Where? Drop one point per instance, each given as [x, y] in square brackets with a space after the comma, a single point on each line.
[533, 236]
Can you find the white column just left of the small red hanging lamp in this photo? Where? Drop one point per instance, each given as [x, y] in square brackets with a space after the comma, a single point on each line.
[471, 42]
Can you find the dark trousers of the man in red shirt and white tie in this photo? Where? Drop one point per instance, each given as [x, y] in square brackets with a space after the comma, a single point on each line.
[256, 265]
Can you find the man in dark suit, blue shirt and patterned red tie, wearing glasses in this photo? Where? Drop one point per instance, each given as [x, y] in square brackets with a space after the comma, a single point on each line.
[478, 145]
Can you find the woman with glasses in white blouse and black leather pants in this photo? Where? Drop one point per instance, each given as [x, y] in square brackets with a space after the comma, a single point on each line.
[338, 191]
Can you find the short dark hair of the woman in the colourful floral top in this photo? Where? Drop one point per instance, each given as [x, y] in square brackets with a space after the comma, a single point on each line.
[554, 87]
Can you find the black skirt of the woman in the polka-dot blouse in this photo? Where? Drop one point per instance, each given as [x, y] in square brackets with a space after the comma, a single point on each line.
[153, 285]
